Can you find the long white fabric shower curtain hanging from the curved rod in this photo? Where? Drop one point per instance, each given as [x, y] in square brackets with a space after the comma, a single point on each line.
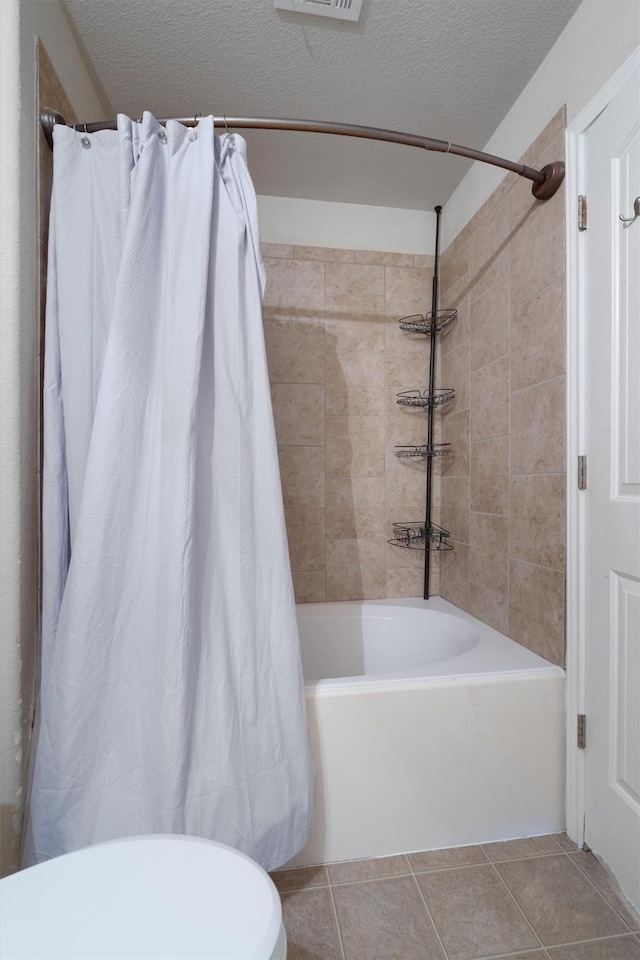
[171, 698]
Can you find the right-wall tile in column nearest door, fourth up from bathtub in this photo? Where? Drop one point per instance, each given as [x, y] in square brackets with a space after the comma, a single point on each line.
[537, 337]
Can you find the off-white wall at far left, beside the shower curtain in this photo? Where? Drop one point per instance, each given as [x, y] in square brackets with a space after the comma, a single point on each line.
[21, 23]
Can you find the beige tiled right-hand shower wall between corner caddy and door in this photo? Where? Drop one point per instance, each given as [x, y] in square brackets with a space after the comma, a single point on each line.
[503, 491]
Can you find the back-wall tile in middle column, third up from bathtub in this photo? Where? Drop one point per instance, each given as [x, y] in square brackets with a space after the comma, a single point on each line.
[355, 446]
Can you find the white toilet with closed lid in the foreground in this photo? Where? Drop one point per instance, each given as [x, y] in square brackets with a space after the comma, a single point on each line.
[159, 897]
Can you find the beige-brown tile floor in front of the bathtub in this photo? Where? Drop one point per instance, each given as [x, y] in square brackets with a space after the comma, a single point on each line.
[531, 899]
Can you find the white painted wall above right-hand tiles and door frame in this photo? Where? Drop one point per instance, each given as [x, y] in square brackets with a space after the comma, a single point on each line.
[600, 36]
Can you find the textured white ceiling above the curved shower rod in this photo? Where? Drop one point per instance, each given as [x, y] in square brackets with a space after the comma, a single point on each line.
[442, 68]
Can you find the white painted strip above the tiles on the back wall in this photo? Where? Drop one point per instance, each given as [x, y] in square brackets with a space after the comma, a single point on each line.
[352, 226]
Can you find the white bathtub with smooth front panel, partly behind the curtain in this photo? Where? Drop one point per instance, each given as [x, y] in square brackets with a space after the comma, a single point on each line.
[428, 728]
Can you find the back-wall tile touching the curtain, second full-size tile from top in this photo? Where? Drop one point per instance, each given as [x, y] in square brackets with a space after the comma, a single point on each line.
[295, 350]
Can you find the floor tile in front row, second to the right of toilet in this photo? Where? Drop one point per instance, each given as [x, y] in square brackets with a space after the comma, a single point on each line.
[385, 920]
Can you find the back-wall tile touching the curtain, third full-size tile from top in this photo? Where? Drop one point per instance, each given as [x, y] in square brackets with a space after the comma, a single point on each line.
[298, 410]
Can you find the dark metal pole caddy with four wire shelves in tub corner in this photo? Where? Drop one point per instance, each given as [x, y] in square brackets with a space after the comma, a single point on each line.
[427, 536]
